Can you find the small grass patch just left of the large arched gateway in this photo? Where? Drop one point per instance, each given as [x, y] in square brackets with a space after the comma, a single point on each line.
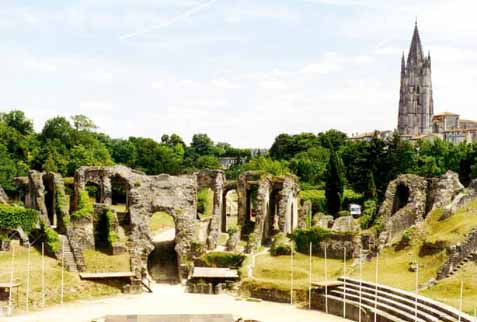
[98, 262]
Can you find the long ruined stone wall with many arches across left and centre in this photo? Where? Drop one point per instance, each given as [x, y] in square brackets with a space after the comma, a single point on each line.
[176, 195]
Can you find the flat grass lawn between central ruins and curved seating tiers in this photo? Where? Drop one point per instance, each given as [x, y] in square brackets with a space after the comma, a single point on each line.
[276, 270]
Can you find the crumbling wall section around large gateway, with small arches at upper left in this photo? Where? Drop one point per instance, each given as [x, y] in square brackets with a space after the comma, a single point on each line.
[176, 195]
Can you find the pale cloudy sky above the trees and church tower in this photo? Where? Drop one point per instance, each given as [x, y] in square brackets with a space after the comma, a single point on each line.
[242, 71]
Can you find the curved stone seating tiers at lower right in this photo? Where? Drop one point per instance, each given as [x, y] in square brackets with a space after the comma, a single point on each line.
[349, 298]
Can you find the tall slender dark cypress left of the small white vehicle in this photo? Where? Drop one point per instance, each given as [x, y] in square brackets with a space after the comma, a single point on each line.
[335, 182]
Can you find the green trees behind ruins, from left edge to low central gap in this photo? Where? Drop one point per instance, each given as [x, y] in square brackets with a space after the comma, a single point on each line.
[65, 144]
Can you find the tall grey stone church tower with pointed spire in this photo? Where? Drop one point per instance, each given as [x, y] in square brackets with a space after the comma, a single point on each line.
[416, 106]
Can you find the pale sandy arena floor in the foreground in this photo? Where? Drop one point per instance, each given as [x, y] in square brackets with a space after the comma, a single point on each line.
[168, 299]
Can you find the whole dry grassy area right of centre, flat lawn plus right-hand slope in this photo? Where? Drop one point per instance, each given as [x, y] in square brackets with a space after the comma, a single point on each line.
[393, 262]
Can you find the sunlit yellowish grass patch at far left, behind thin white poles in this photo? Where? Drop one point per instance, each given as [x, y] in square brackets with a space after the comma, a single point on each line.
[74, 287]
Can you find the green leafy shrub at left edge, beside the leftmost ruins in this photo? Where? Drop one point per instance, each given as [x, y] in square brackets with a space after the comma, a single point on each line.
[12, 217]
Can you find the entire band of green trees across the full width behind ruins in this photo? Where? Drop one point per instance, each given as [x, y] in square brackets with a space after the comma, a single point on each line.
[327, 161]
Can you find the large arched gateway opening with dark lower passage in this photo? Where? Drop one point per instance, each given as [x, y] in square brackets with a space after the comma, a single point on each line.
[162, 263]
